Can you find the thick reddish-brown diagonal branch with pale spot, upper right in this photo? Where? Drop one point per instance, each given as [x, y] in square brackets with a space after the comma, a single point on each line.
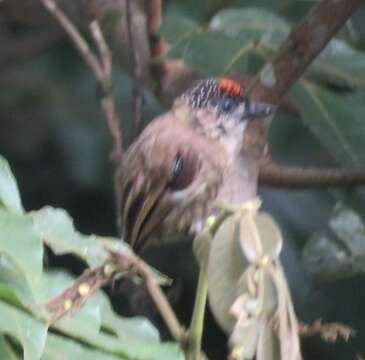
[301, 47]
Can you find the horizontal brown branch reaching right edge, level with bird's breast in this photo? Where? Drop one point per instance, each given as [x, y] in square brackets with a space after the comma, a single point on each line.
[305, 178]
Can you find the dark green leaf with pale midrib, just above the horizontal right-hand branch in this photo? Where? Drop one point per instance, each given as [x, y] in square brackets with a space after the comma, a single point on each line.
[337, 121]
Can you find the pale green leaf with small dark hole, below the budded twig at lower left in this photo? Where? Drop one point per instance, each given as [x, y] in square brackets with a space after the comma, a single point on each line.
[134, 338]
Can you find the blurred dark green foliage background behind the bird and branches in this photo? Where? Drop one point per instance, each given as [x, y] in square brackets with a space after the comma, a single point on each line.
[53, 134]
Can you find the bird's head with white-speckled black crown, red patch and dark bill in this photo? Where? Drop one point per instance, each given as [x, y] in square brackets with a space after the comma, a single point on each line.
[220, 110]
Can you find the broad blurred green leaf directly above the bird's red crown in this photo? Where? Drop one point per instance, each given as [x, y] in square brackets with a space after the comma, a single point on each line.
[245, 37]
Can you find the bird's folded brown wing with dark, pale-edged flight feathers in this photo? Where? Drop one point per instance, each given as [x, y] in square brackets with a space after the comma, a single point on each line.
[164, 159]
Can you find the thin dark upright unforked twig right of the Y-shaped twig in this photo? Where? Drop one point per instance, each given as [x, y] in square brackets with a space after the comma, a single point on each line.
[137, 72]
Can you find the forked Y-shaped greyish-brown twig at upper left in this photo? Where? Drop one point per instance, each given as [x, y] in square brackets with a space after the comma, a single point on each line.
[100, 65]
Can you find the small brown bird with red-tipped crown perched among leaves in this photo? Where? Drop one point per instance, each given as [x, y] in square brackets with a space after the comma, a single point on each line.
[186, 160]
